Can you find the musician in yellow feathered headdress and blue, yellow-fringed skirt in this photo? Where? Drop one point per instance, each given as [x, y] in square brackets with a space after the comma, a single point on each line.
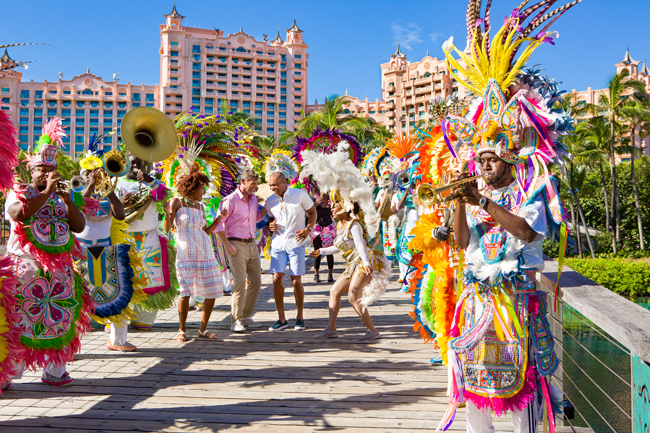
[109, 258]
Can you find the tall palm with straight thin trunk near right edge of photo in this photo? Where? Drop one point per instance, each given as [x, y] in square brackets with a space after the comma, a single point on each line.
[611, 102]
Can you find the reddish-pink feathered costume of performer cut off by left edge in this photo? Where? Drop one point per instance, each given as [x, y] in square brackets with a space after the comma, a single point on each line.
[10, 347]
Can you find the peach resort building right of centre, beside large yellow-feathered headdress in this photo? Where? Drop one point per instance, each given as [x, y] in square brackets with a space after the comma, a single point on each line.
[406, 90]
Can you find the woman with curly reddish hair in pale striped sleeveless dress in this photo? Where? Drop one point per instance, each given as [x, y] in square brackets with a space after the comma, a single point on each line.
[197, 269]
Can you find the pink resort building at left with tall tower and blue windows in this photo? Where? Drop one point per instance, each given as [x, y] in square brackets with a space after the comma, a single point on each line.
[198, 68]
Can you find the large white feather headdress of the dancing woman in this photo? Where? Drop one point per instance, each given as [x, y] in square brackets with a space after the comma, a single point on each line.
[336, 173]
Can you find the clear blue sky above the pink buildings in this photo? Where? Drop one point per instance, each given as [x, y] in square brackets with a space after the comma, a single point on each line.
[347, 39]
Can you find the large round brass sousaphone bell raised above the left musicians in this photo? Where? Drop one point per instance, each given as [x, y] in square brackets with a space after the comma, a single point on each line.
[149, 134]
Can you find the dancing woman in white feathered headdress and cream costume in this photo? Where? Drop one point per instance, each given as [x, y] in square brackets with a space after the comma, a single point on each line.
[366, 269]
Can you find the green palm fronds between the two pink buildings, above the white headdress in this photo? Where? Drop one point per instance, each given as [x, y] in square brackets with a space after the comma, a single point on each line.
[331, 116]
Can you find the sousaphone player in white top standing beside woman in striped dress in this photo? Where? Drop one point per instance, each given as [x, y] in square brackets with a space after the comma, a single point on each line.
[139, 193]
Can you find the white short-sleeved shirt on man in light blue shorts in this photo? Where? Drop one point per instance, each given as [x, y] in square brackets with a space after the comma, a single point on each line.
[289, 212]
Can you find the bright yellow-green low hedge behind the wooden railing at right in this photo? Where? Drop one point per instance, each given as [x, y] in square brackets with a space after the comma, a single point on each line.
[621, 276]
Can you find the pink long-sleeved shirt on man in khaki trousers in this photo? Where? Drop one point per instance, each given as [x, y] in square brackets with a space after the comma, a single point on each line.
[242, 217]
